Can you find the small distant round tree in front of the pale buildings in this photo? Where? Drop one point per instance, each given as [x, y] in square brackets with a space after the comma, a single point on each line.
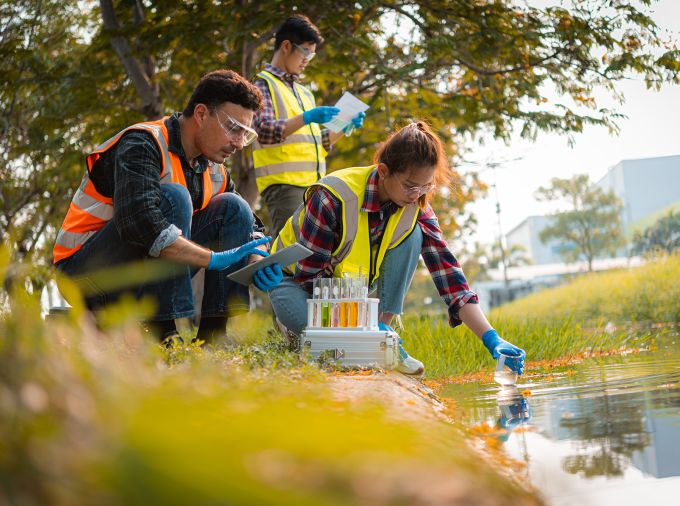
[592, 225]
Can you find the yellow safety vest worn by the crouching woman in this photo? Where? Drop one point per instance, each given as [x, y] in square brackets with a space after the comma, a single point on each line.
[353, 251]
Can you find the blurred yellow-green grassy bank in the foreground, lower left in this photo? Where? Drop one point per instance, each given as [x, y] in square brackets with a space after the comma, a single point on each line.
[91, 417]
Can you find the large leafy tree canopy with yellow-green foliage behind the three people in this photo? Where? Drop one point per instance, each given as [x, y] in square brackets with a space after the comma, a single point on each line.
[71, 80]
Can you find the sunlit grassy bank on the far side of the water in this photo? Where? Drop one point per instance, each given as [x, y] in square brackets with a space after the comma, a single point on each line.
[565, 321]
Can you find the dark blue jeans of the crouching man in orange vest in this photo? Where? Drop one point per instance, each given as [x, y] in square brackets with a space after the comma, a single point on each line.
[227, 222]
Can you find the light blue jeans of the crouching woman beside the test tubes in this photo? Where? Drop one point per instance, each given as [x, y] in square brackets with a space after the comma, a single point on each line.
[289, 299]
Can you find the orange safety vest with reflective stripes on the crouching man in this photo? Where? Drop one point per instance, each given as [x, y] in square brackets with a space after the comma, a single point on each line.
[90, 210]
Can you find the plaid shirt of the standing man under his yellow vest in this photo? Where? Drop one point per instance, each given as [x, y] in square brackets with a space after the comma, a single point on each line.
[270, 129]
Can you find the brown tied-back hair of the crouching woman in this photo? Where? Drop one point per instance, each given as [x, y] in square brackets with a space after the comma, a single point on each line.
[415, 146]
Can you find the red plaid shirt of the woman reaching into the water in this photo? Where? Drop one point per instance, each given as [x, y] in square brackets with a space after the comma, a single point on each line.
[322, 229]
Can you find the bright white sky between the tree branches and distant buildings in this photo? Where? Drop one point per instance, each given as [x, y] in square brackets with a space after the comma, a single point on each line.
[652, 129]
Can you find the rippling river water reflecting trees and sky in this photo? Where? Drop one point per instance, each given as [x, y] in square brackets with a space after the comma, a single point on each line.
[603, 432]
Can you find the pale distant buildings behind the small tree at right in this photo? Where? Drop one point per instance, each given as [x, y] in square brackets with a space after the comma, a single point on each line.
[648, 189]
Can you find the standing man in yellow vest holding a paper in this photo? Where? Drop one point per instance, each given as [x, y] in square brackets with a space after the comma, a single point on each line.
[290, 152]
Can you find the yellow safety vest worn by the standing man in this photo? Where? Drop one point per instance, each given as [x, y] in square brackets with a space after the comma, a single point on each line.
[300, 159]
